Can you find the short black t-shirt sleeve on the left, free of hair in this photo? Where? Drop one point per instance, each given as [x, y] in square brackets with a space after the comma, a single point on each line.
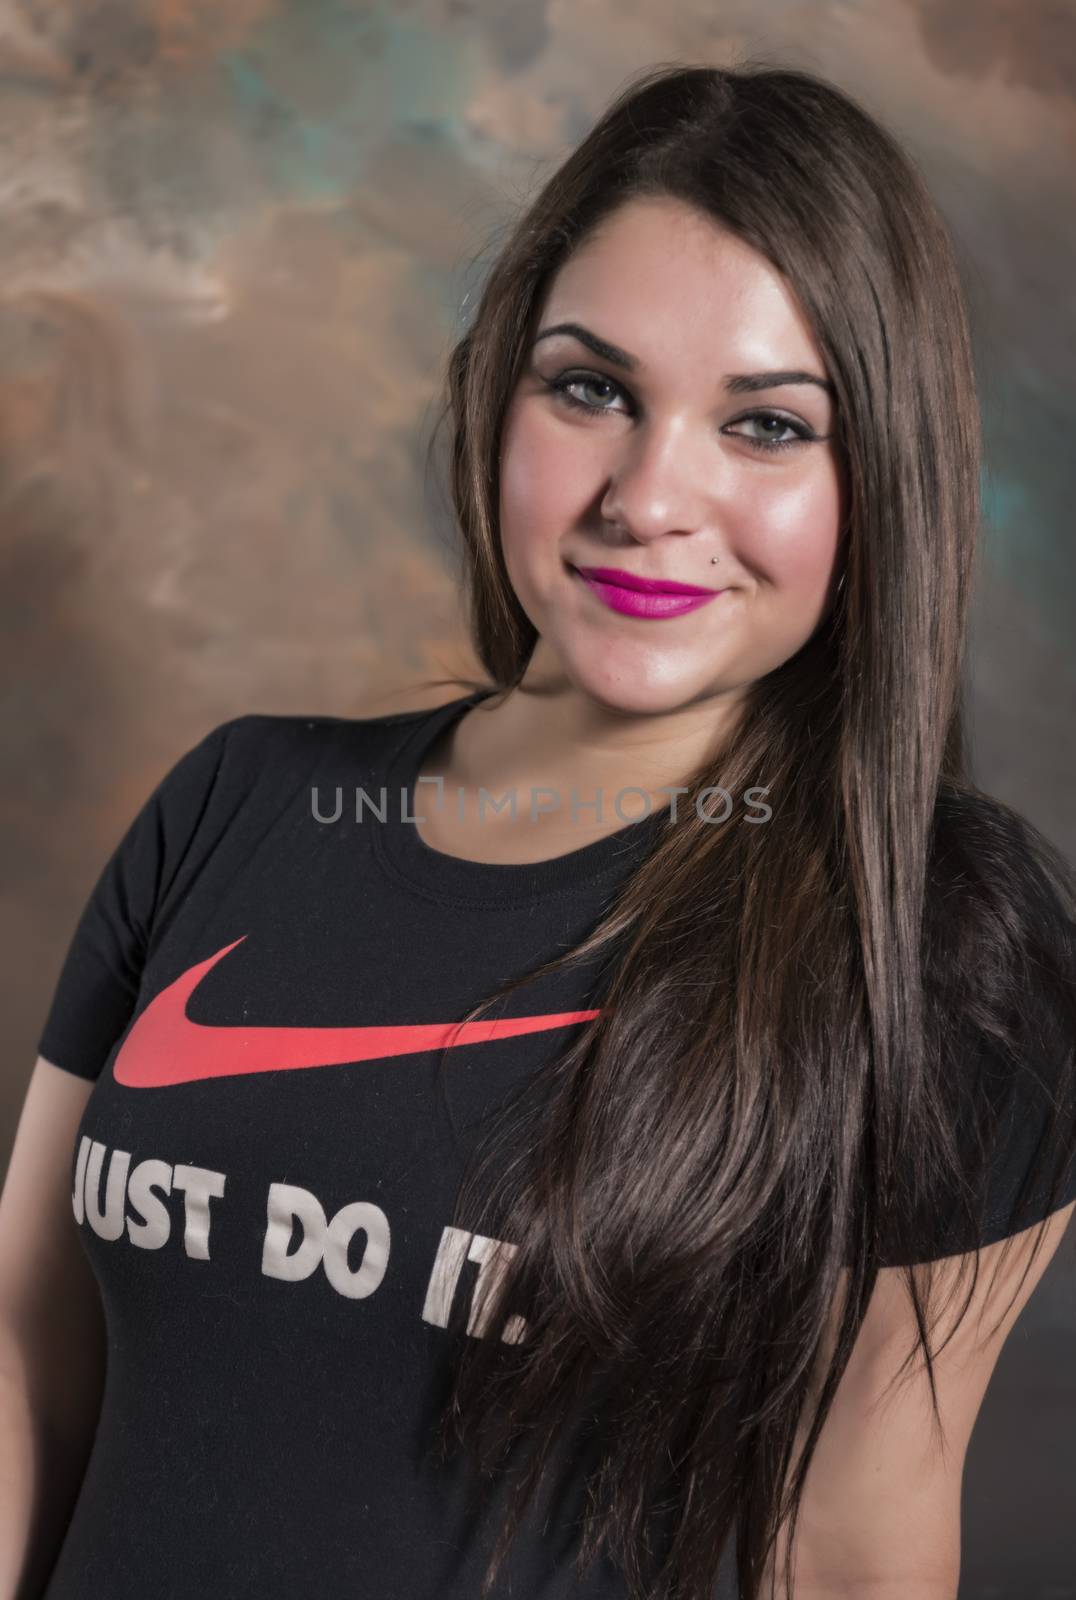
[102, 972]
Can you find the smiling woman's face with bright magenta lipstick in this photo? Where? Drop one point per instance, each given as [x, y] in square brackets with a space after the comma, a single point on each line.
[678, 462]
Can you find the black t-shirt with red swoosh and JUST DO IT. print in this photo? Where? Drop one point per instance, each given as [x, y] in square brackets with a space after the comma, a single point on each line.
[267, 1169]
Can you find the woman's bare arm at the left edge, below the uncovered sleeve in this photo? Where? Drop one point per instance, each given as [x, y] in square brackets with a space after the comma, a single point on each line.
[52, 1337]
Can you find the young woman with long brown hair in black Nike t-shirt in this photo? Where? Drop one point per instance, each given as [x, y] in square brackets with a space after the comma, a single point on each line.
[646, 1079]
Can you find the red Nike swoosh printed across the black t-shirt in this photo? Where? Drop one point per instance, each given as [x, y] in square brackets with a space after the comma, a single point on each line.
[167, 1047]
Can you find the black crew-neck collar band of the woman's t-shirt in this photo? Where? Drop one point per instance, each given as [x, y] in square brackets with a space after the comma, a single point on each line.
[408, 857]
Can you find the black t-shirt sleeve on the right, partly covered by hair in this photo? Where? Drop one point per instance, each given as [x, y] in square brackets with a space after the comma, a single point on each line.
[1002, 991]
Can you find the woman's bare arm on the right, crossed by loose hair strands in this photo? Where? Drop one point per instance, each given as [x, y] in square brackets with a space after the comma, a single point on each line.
[881, 1510]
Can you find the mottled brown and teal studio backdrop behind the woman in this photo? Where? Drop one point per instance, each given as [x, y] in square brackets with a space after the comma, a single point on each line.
[236, 242]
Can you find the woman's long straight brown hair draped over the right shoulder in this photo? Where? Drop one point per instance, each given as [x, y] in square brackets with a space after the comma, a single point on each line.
[766, 1110]
